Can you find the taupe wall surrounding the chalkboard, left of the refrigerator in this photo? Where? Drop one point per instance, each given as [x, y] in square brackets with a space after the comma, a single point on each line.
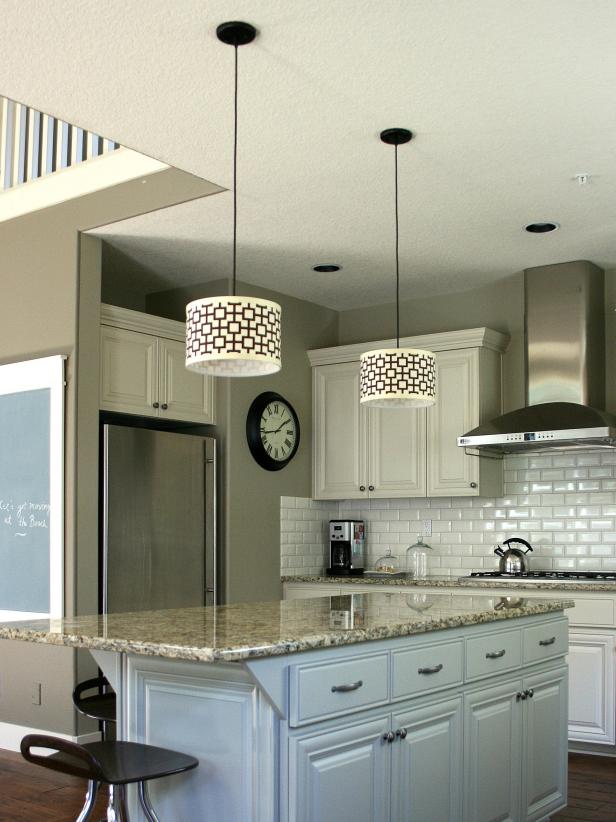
[39, 272]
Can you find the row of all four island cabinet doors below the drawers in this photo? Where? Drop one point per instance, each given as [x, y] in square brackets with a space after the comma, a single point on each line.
[496, 755]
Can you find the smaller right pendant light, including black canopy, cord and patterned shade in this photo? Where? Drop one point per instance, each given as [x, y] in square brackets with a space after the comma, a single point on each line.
[397, 377]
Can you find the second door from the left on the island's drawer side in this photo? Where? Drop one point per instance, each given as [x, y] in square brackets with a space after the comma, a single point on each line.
[427, 763]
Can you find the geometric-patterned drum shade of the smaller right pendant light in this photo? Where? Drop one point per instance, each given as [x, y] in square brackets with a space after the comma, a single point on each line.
[398, 378]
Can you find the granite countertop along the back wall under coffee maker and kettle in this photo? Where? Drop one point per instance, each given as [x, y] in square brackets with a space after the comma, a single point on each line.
[454, 582]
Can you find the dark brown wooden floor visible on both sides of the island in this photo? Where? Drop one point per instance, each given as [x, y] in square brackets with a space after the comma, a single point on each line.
[32, 794]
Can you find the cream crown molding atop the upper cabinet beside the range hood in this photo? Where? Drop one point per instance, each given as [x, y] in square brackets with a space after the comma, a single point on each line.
[445, 341]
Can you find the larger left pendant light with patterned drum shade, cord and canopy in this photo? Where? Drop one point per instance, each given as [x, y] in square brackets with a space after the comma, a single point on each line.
[233, 336]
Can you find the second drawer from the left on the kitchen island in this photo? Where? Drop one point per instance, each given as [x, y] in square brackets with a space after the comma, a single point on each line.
[427, 668]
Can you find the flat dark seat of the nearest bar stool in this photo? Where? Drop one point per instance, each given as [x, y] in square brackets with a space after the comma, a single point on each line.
[122, 763]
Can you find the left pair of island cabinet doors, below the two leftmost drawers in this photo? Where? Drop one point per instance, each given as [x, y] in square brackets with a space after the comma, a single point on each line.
[405, 765]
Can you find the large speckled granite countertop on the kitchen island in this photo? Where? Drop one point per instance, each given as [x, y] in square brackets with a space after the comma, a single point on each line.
[232, 633]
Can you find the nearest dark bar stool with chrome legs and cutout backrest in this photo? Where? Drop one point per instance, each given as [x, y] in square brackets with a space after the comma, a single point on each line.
[115, 764]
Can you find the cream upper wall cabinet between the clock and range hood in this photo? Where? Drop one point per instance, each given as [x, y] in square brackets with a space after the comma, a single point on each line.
[363, 452]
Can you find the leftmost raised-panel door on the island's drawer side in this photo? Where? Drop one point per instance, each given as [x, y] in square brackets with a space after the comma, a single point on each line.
[341, 774]
